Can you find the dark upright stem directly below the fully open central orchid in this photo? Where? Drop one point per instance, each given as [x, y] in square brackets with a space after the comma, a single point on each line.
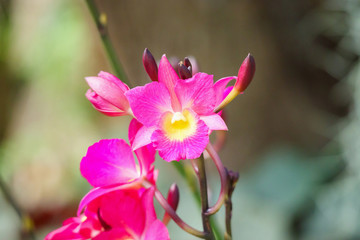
[204, 198]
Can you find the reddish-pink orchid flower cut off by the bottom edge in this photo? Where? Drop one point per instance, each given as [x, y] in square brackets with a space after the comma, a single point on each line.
[122, 214]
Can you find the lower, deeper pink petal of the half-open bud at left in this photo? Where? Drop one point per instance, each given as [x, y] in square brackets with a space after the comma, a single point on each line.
[103, 106]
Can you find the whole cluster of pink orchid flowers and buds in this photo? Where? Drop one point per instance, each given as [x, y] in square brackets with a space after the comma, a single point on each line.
[173, 115]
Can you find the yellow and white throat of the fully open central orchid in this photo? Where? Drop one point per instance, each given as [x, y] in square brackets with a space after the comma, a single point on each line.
[179, 125]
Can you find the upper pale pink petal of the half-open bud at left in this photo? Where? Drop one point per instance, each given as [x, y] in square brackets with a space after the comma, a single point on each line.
[109, 90]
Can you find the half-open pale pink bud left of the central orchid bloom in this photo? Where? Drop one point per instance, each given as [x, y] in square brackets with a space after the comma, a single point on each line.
[107, 94]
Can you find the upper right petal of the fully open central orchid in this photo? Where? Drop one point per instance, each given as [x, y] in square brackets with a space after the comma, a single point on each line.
[197, 93]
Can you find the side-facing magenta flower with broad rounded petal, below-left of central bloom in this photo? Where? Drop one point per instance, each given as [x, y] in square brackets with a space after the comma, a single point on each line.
[109, 165]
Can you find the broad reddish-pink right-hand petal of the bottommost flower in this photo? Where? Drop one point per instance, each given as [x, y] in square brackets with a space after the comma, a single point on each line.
[130, 214]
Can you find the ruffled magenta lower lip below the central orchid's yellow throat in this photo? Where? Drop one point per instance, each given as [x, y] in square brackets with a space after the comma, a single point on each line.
[189, 148]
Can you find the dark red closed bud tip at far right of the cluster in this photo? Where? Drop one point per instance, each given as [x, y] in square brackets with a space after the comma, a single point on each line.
[245, 74]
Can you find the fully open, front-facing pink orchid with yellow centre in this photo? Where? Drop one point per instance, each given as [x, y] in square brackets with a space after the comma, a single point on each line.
[178, 115]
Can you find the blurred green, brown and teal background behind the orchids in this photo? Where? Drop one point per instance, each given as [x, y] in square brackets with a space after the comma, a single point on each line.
[294, 134]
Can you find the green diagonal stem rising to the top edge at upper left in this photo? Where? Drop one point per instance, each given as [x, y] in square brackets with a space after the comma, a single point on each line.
[101, 24]
